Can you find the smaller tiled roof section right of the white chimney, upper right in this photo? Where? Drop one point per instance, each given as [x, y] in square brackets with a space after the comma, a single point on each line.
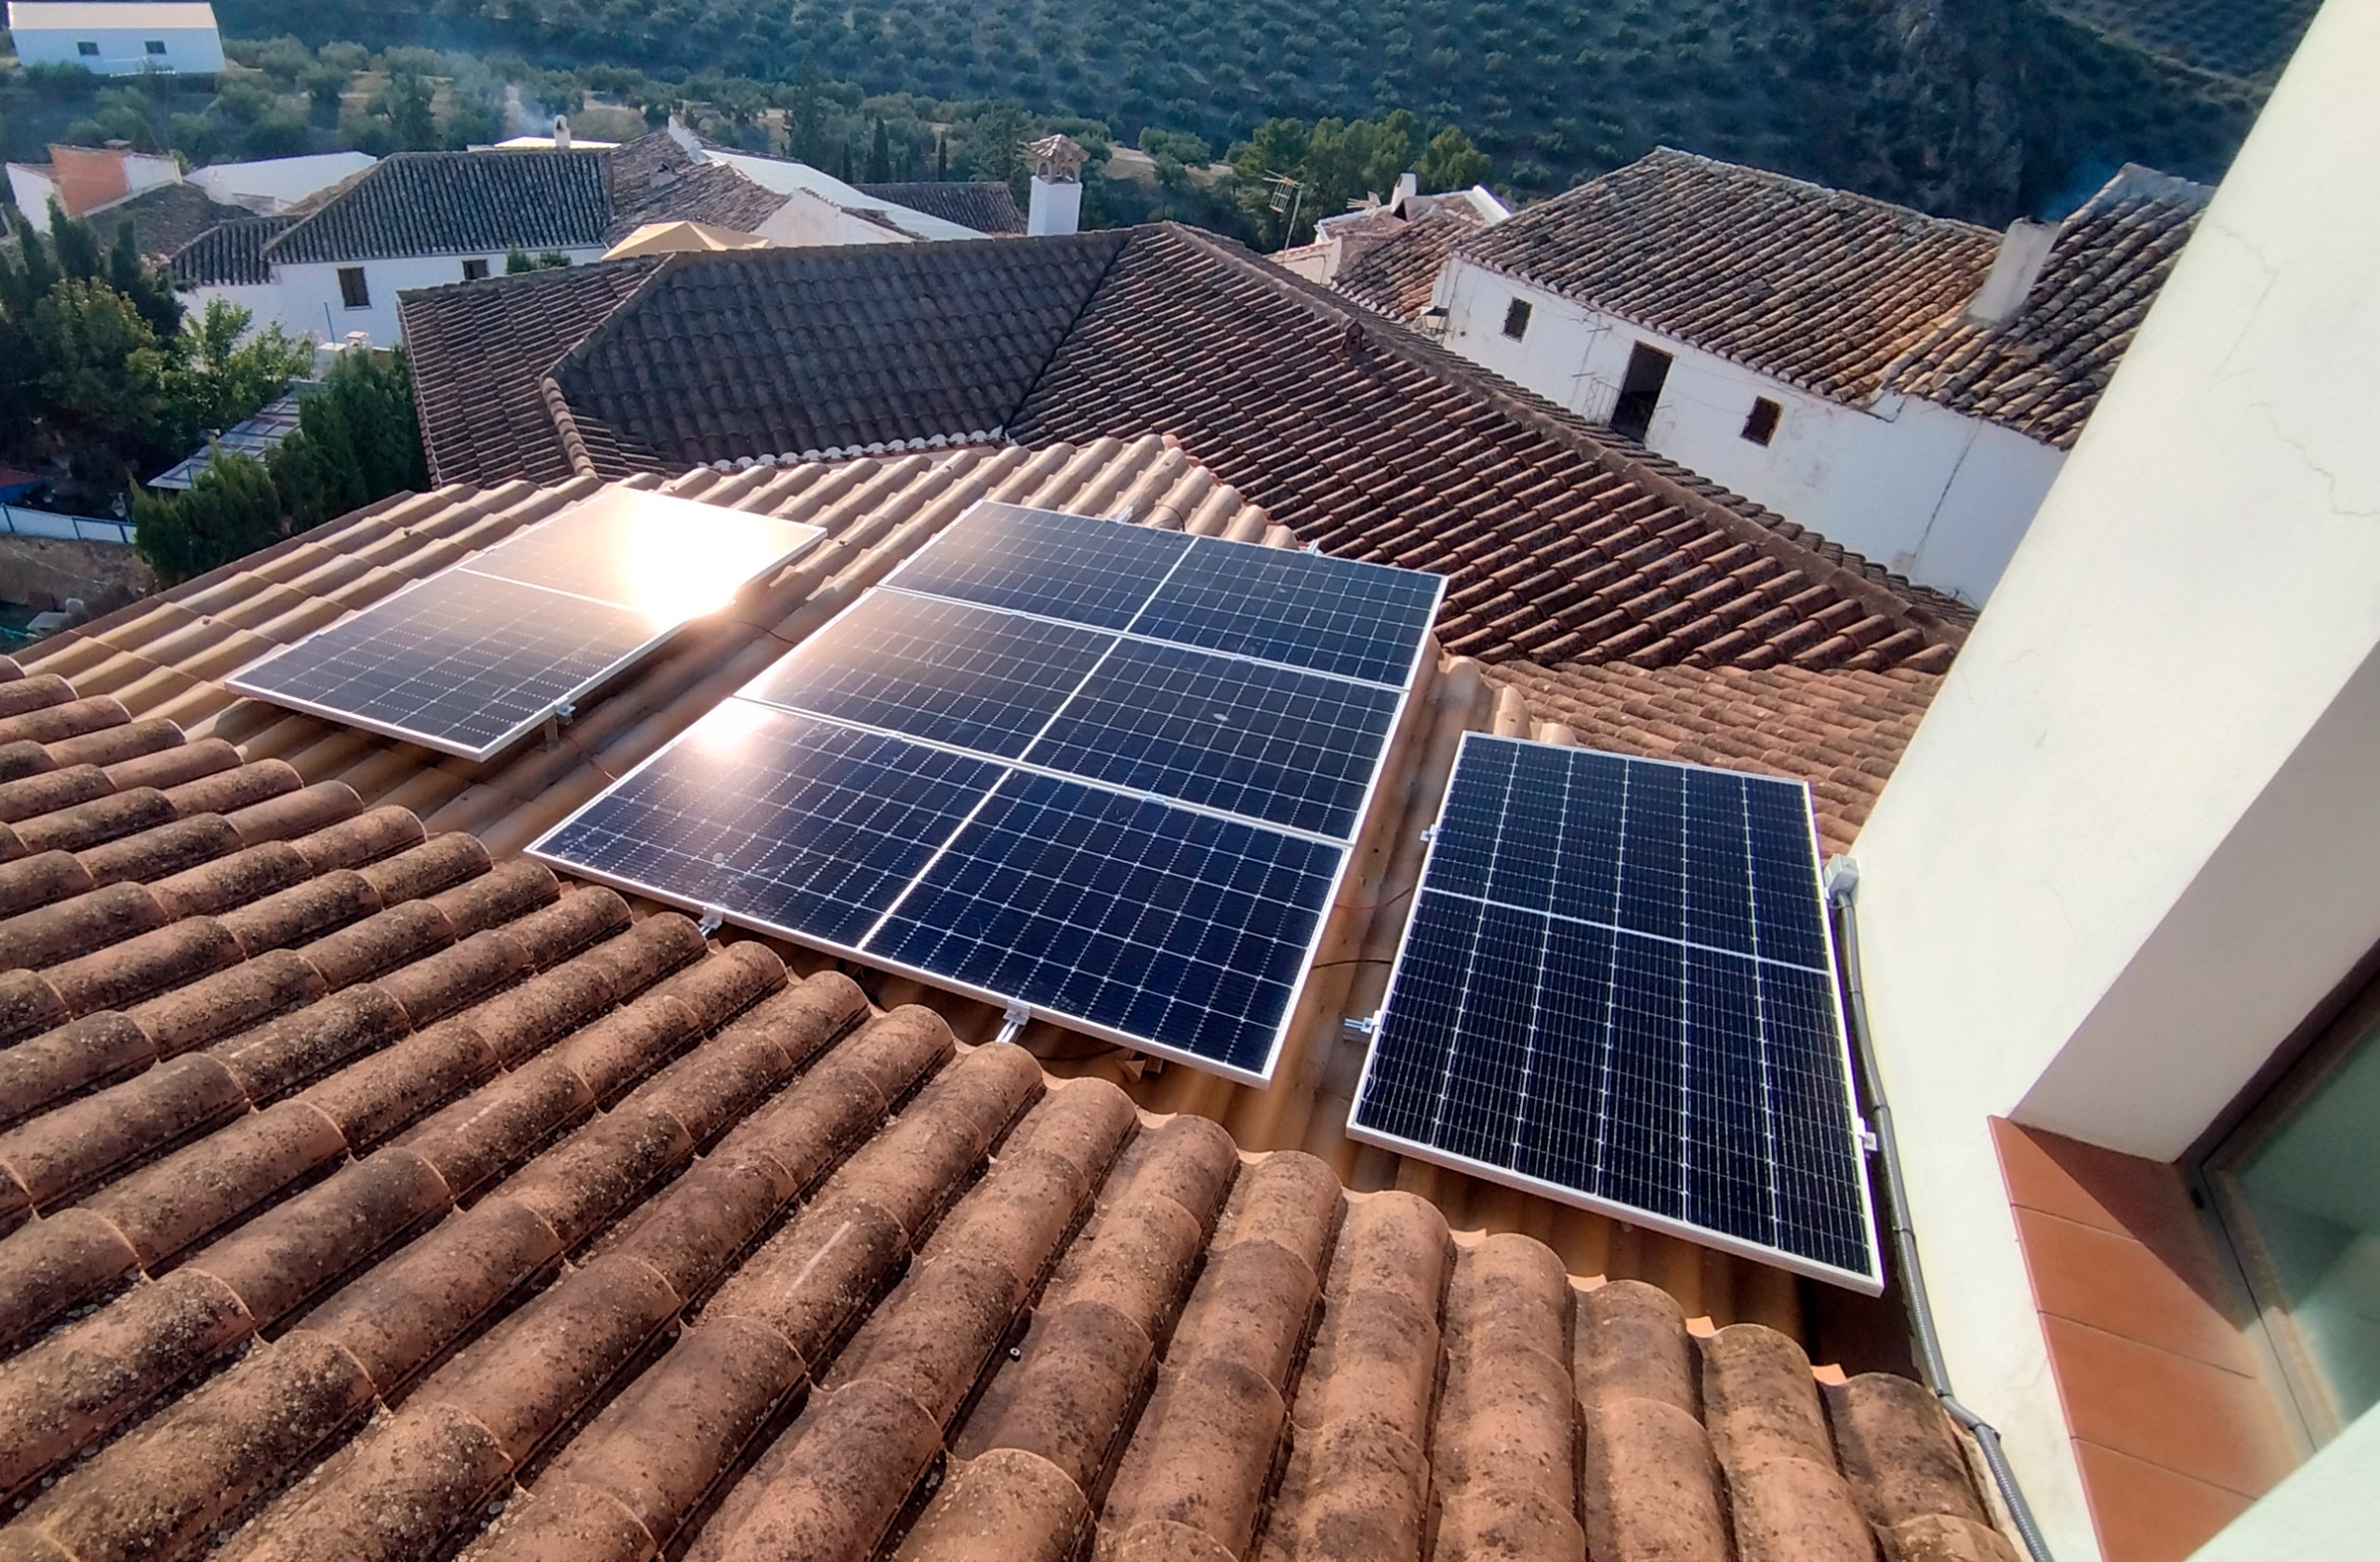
[2043, 373]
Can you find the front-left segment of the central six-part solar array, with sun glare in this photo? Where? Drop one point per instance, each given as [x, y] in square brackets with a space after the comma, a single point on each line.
[779, 820]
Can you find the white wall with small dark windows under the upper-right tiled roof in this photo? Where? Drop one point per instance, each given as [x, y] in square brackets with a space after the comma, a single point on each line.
[1915, 487]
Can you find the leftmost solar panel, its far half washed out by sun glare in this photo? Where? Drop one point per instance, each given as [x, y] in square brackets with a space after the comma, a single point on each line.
[477, 656]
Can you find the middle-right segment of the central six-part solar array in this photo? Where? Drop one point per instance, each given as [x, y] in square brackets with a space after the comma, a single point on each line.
[1241, 737]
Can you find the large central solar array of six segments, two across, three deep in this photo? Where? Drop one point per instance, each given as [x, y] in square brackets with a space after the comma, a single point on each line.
[1101, 773]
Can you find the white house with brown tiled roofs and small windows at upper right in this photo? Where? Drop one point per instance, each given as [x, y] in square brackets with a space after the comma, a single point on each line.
[1903, 385]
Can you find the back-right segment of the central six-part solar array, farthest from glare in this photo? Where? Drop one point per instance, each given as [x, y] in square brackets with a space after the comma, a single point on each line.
[1298, 608]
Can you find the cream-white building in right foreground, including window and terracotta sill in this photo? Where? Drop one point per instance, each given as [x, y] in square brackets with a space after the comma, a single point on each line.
[2122, 904]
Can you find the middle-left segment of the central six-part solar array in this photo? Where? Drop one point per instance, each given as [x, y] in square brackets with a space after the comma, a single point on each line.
[939, 670]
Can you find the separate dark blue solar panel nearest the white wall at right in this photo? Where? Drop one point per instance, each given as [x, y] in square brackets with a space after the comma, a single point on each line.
[1617, 989]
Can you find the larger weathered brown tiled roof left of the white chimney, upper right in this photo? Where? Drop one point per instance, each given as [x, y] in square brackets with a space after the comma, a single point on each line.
[1815, 287]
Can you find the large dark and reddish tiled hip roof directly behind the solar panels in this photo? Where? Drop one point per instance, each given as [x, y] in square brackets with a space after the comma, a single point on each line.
[1562, 544]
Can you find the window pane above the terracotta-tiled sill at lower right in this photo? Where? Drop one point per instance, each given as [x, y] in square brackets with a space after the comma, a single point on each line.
[2298, 1187]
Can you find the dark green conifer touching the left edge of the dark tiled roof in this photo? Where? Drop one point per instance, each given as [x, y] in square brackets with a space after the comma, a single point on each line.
[356, 442]
